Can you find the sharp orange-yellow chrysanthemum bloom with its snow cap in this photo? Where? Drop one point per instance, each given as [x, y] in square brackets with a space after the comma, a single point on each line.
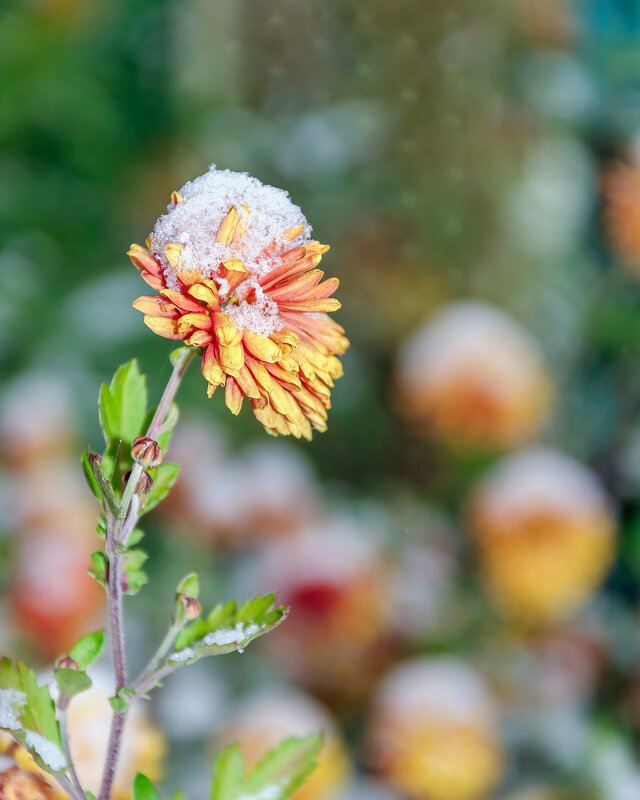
[236, 271]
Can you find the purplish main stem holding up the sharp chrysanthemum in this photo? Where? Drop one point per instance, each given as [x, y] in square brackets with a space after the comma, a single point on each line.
[118, 532]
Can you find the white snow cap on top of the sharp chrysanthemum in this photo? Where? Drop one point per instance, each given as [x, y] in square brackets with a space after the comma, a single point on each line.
[265, 211]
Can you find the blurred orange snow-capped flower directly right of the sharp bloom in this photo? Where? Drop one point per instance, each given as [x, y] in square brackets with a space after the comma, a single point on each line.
[473, 376]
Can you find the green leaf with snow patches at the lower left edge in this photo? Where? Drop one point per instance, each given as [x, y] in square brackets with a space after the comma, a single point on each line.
[28, 713]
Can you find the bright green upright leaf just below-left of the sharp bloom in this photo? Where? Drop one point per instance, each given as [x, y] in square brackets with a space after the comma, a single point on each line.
[123, 404]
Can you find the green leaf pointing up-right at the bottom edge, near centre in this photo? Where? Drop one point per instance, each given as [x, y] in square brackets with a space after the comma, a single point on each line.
[284, 769]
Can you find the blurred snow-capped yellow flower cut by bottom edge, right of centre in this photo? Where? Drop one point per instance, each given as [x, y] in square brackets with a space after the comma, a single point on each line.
[433, 733]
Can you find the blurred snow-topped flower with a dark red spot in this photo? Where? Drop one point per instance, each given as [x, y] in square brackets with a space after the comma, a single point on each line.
[339, 586]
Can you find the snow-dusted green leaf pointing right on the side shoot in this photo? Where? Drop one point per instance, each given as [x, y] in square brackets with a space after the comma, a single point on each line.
[227, 628]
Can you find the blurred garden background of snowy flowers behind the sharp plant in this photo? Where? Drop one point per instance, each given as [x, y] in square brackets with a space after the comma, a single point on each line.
[462, 547]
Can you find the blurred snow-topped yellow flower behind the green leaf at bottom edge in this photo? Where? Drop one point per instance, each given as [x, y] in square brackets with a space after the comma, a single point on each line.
[268, 718]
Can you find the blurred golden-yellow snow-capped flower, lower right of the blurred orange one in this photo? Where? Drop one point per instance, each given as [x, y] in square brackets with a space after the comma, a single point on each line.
[545, 533]
